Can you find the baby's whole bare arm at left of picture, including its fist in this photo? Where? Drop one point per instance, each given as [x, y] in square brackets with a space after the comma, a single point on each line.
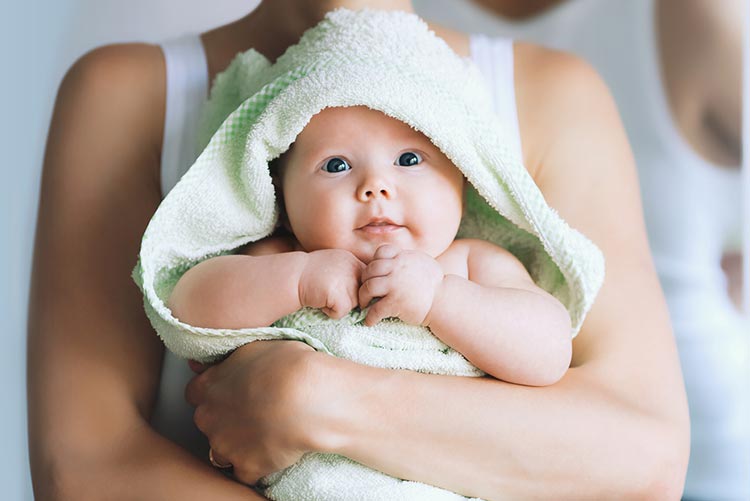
[263, 283]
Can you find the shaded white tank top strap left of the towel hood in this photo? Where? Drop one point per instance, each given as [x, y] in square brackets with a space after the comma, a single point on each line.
[186, 91]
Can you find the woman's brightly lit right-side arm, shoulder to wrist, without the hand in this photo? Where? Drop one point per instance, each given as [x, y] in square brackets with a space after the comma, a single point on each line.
[616, 425]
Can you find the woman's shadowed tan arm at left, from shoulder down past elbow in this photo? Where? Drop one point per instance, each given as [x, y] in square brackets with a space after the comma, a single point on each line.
[93, 359]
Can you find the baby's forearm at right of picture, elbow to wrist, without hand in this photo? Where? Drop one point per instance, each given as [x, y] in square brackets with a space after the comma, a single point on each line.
[516, 335]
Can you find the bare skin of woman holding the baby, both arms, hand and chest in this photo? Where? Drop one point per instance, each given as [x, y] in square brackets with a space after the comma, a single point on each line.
[618, 418]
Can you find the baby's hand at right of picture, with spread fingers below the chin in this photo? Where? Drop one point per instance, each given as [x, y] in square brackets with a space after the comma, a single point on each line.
[405, 281]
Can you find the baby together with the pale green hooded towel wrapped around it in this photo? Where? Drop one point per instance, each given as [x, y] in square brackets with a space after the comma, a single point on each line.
[366, 264]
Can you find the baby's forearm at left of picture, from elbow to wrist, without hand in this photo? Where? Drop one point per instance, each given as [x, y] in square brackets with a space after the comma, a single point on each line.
[239, 291]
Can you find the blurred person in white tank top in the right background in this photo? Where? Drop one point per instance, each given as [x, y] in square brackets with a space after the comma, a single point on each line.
[674, 67]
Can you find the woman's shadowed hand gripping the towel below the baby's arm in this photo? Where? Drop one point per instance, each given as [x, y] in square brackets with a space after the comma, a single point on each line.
[257, 407]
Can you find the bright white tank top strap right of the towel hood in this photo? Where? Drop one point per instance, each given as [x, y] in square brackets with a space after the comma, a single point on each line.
[494, 58]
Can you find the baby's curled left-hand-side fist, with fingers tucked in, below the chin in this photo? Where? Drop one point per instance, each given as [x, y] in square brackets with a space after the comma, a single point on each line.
[330, 281]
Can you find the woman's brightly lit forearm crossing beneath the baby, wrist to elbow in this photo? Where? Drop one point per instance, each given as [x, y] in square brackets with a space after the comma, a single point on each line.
[572, 440]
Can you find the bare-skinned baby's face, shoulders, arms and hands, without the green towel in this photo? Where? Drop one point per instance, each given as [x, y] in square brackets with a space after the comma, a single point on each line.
[370, 213]
